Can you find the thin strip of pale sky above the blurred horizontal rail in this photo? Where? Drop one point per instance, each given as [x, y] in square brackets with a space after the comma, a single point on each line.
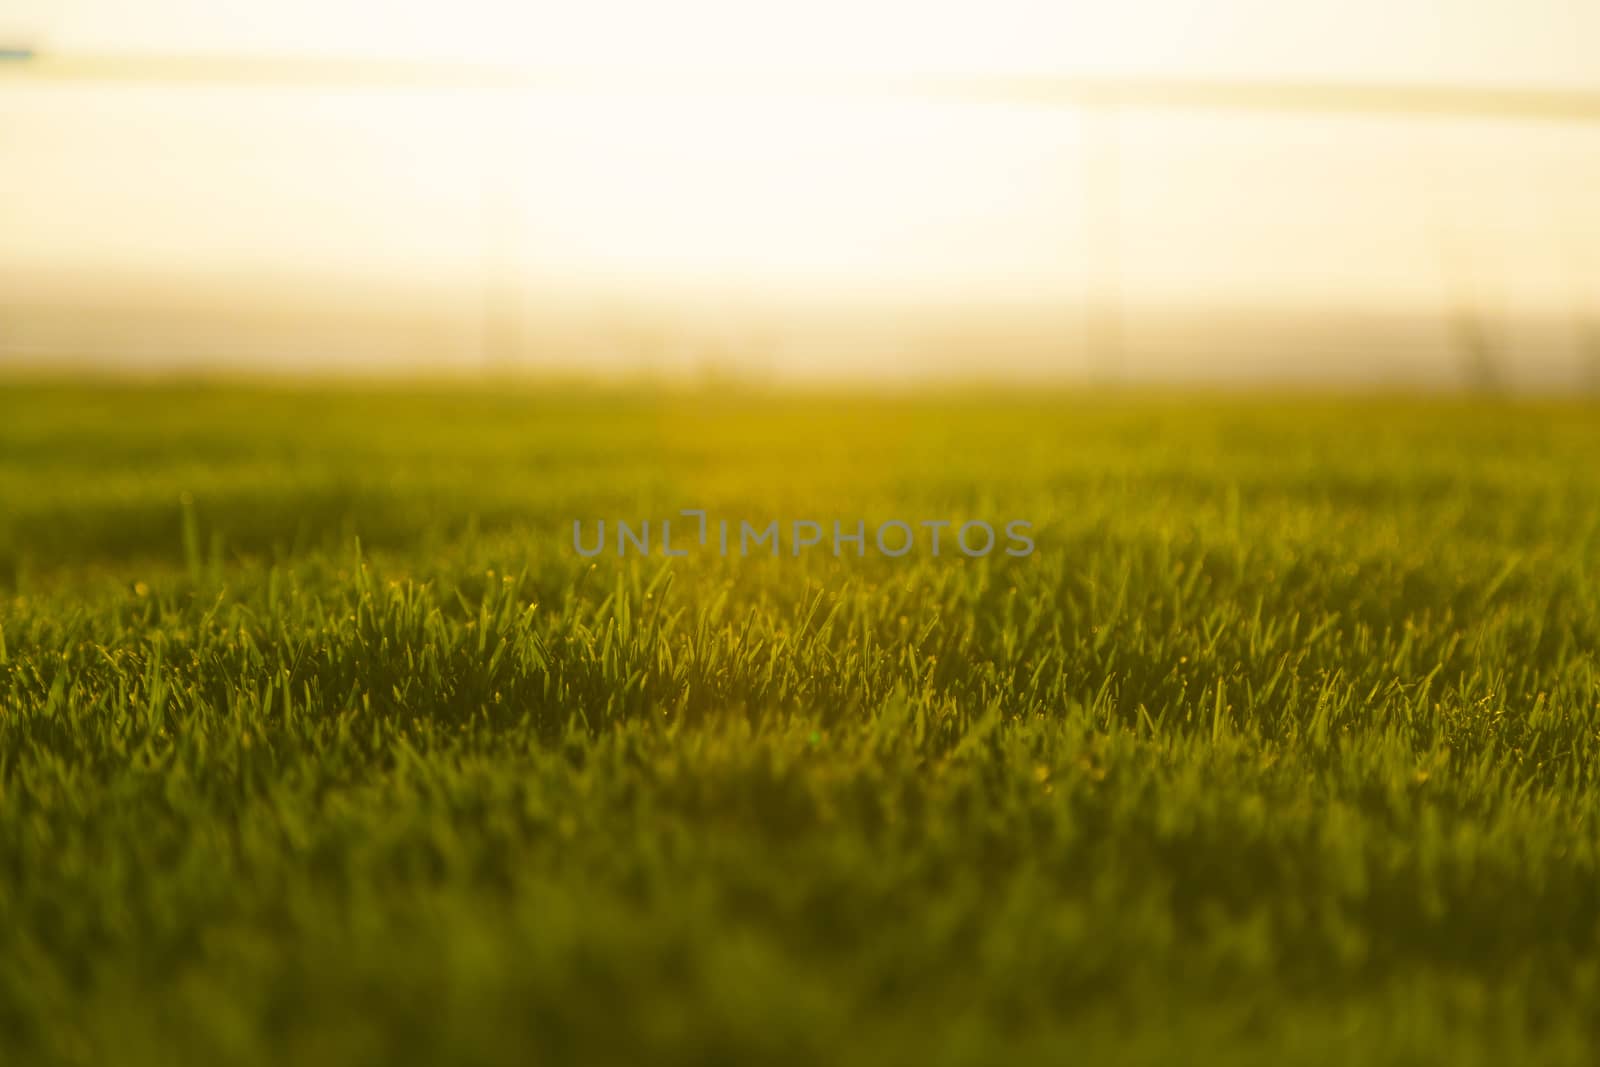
[1454, 41]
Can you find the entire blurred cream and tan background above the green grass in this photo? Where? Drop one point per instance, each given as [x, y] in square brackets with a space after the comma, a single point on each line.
[1359, 193]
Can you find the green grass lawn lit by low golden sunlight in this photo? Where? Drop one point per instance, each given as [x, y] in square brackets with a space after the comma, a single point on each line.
[321, 745]
